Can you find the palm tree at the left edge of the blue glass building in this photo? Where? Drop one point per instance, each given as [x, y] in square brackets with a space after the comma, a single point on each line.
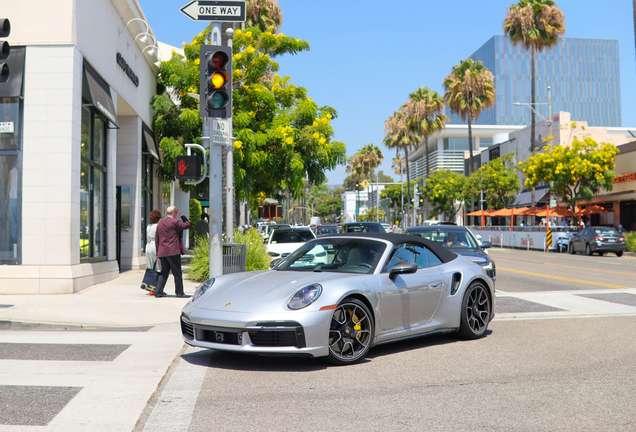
[469, 90]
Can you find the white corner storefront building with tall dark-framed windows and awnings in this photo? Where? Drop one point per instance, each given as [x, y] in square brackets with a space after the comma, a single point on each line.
[78, 158]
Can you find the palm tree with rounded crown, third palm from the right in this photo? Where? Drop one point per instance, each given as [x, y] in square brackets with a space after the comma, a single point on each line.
[425, 108]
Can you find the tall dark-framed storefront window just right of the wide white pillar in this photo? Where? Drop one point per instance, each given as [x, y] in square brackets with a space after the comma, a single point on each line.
[93, 186]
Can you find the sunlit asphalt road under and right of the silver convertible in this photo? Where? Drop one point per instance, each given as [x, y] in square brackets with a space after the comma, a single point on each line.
[559, 357]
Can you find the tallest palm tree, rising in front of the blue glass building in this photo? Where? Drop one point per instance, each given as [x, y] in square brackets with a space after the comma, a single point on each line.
[536, 24]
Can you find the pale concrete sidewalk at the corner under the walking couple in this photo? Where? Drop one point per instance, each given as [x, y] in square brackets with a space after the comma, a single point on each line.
[117, 303]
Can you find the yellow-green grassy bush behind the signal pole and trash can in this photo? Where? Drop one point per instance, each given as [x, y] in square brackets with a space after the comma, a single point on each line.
[257, 257]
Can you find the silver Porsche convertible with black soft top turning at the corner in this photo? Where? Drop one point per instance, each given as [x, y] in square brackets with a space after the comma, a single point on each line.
[339, 295]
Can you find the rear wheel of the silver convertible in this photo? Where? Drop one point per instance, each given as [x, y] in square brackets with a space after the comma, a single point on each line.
[476, 312]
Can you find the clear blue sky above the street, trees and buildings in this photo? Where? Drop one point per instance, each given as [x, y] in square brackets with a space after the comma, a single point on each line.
[366, 57]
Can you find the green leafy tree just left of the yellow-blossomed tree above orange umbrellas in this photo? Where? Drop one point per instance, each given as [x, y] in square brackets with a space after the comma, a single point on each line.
[498, 180]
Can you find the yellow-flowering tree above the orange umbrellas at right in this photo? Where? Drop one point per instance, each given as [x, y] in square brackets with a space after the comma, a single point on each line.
[575, 172]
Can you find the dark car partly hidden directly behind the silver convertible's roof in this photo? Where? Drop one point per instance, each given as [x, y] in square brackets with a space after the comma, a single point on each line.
[461, 241]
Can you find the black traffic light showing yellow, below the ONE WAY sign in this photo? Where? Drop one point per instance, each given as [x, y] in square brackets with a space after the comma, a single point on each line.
[215, 75]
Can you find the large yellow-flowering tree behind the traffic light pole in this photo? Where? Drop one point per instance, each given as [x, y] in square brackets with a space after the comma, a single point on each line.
[283, 138]
